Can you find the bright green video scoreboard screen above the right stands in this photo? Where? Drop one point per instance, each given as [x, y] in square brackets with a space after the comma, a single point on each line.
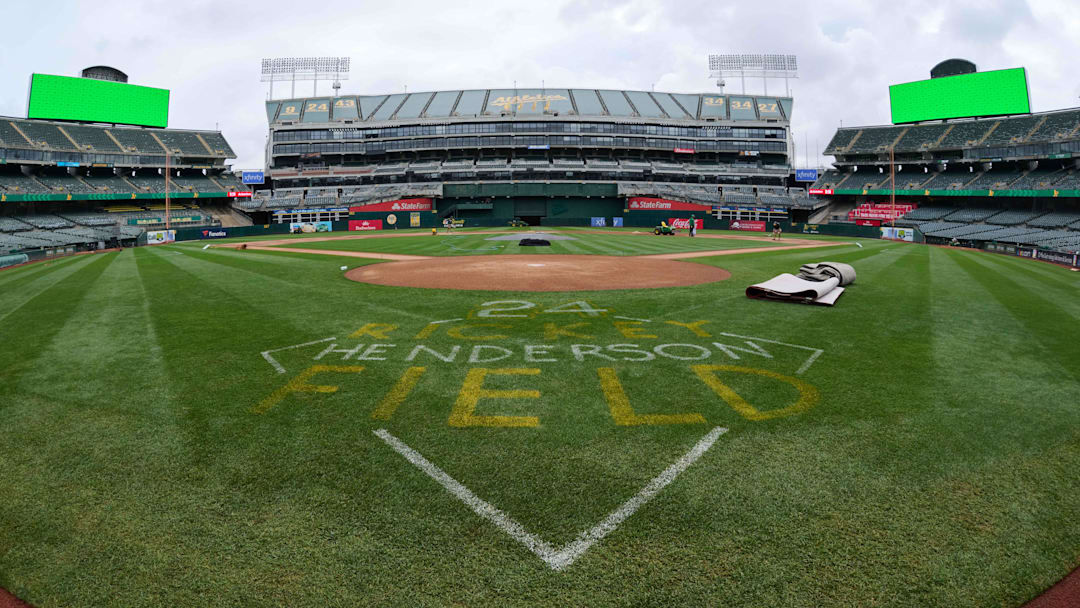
[978, 94]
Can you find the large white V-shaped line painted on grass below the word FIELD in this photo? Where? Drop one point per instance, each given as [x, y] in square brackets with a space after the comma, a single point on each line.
[557, 559]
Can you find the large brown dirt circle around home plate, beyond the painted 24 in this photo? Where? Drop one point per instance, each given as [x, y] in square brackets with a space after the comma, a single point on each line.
[538, 274]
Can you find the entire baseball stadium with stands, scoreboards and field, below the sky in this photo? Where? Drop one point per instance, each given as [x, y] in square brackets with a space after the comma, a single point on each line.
[519, 347]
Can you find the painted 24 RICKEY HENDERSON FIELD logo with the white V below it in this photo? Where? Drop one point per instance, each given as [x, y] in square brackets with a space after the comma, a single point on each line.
[498, 356]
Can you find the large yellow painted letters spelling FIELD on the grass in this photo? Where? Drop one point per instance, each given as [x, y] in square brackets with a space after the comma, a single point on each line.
[474, 391]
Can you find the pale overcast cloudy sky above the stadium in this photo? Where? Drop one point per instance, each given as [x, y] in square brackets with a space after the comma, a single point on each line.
[208, 53]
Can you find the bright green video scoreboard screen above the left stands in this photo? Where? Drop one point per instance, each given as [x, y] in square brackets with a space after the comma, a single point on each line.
[86, 100]
